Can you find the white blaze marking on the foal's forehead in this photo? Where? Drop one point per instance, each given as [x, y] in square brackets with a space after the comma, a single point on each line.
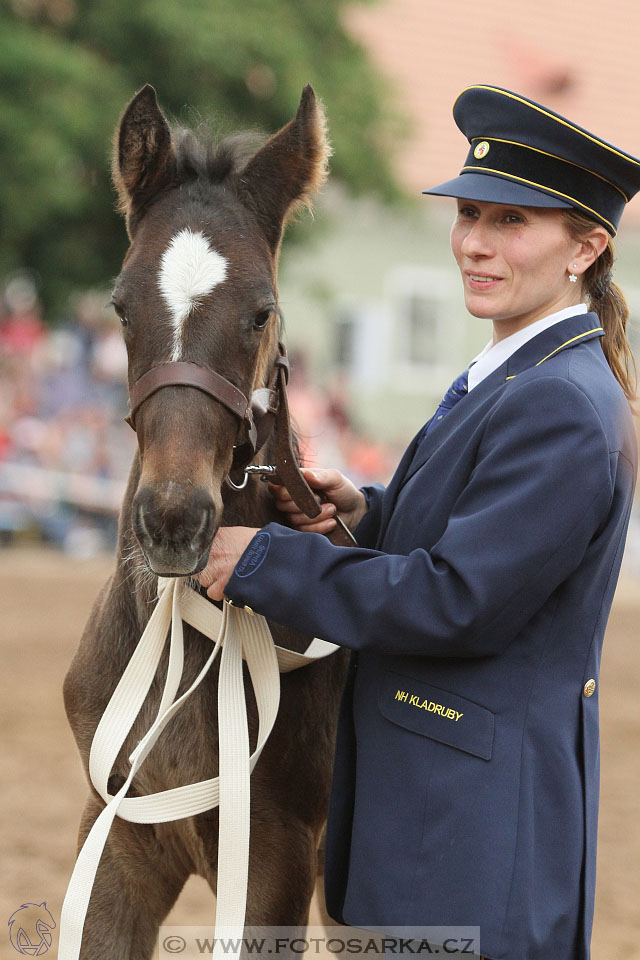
[189, 270]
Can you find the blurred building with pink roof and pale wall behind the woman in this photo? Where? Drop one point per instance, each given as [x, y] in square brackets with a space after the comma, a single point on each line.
[377, 294]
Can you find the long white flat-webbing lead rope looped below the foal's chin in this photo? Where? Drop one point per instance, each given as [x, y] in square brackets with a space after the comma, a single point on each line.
[240, 635]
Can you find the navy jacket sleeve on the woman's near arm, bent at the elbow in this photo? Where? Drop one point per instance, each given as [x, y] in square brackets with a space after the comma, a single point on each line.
[538, 493]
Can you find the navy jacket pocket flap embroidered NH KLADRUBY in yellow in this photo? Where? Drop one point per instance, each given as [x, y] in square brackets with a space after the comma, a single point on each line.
[437, 714]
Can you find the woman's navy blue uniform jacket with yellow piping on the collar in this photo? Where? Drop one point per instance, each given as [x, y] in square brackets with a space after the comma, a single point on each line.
[465, 785]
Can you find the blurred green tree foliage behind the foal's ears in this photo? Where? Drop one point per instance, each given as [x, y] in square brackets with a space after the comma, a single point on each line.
[68, 67]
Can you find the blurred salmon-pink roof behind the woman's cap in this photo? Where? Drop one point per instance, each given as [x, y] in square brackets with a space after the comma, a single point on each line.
[579, 58]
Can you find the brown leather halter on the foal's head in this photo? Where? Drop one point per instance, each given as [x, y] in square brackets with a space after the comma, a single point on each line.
[268, 408]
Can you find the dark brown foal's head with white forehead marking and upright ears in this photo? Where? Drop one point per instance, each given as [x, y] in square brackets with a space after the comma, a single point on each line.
[198, 284]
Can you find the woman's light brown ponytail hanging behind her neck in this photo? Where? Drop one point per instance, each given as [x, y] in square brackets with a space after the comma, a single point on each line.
[608, 301]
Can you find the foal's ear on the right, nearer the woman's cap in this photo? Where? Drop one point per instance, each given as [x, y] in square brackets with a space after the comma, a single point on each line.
[291, 165]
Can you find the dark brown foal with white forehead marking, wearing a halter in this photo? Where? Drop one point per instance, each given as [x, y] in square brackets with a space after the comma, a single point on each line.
[198, 286]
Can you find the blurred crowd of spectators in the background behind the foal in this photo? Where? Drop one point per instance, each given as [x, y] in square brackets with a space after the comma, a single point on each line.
[65, 450]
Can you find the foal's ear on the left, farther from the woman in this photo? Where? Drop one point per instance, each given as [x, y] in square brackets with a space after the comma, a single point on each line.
[143, 158]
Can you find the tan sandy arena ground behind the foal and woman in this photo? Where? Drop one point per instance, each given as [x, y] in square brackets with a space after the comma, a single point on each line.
[45, 599]
